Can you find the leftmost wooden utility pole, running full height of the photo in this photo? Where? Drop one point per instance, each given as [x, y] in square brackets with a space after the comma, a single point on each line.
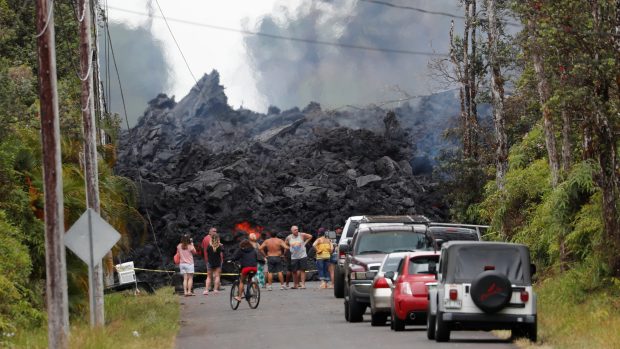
[55, 266]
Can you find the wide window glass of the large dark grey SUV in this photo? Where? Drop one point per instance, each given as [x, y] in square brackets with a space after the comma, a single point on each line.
[390, 241]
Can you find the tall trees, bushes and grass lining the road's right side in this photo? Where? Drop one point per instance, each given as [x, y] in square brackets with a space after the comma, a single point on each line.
[555, 187]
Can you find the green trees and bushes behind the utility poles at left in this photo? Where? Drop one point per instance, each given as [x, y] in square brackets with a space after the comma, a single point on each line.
[22, 252]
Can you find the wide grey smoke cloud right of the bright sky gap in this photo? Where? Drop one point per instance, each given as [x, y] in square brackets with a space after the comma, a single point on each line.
[292, 73]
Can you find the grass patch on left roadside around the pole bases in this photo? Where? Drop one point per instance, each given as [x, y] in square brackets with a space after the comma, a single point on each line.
[131, 322]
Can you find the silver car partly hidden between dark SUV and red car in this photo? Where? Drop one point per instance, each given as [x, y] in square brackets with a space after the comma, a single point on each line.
[381, 291]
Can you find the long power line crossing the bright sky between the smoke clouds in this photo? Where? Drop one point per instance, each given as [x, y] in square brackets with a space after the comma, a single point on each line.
[289, 38]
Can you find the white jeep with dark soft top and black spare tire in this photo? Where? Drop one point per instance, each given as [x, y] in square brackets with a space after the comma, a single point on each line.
[482, 286]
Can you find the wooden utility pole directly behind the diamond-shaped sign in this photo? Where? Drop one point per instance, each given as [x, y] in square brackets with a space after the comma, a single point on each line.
[91, 173]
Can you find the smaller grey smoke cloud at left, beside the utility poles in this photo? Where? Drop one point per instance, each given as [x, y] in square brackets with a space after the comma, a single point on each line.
[142, 65]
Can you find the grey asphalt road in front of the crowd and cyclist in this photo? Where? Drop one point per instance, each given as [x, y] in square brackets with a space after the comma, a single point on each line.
[291, 319]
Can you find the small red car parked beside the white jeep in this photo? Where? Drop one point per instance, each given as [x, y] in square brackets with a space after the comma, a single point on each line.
[410, 293]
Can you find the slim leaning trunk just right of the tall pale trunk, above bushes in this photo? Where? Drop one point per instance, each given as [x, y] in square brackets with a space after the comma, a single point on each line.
[544, 93]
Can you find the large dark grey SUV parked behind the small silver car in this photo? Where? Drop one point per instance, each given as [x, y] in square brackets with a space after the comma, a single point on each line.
[363, 259]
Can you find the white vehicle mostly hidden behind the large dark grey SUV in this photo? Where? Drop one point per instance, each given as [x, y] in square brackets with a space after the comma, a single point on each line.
[351, 226]
